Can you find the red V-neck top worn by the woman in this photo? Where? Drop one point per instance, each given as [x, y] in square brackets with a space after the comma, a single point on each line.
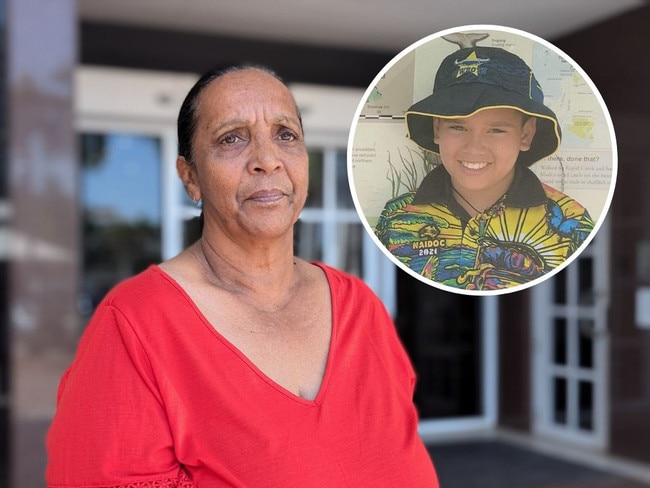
[156, 397]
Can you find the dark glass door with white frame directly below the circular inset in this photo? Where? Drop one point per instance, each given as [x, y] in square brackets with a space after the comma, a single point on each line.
[452, 341]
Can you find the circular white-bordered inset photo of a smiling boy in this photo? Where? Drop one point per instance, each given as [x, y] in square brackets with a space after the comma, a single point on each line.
[482, 160]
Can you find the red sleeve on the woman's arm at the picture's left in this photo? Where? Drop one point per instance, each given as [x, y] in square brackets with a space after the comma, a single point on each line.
[111, 427]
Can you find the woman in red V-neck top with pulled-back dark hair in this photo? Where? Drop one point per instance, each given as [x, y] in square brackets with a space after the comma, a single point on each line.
[236, 363]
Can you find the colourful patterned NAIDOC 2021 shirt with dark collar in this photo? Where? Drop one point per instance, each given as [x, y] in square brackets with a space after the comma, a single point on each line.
[532, 229]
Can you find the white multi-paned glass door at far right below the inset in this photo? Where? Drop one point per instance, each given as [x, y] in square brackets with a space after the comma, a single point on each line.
[570, 350]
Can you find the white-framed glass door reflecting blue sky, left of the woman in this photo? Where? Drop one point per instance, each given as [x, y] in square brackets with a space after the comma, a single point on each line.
[130, 203]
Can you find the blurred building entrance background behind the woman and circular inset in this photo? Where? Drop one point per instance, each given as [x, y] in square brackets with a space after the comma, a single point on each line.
[540, 388]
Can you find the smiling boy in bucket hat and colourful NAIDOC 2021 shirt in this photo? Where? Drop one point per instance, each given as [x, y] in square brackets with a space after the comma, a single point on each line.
[482, 220]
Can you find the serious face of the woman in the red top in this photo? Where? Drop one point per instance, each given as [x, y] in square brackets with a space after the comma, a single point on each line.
[250, 164]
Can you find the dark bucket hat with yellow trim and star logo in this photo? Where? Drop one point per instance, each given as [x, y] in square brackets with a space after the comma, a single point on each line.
[475, 78]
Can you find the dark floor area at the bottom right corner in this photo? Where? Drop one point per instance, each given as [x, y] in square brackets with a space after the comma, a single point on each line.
[499, 464]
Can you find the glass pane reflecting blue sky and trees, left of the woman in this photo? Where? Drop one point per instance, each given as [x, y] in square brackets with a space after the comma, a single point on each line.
[120, 201]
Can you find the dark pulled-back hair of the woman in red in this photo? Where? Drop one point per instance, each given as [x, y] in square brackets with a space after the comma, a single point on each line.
[187, 117]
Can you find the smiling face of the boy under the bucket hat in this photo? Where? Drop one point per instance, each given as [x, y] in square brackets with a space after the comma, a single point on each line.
[480, 151]
